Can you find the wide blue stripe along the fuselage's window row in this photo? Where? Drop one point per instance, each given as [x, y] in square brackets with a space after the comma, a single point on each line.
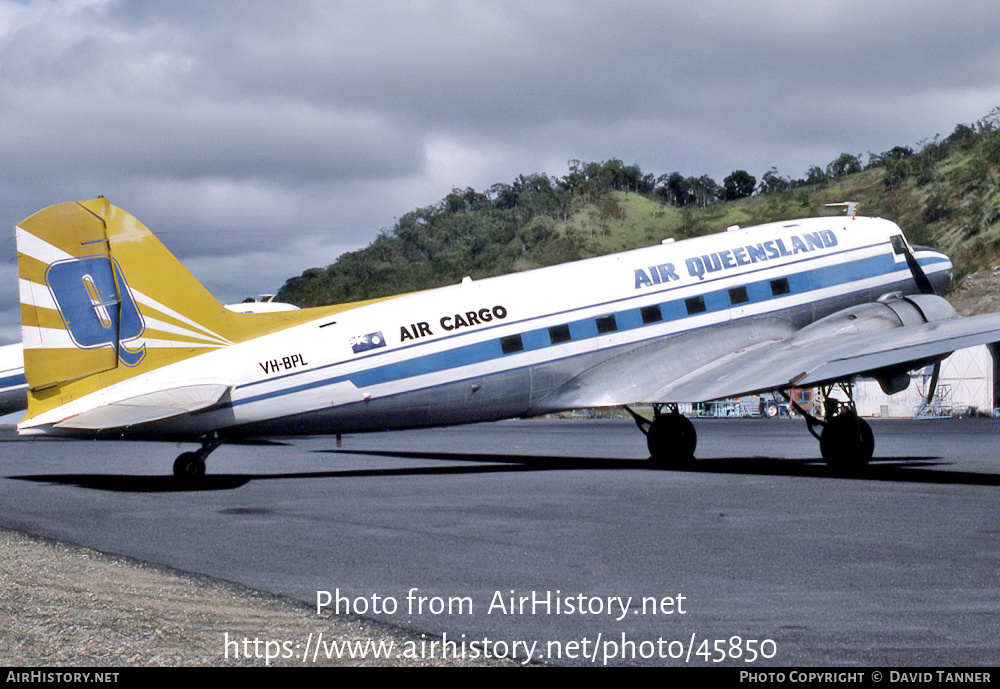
[628, 319]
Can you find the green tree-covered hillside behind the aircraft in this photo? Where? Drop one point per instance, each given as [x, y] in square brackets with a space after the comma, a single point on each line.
[946, 193]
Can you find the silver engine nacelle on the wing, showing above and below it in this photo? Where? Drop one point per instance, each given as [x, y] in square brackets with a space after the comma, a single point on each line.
[892, 311]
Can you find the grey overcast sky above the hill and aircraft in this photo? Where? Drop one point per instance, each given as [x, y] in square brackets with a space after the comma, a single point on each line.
[259, 139]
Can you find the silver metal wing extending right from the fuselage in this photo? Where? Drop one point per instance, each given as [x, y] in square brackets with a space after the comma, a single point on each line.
[765, 356]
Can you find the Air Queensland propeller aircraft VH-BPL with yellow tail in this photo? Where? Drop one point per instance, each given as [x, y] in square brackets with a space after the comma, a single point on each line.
[121, 341]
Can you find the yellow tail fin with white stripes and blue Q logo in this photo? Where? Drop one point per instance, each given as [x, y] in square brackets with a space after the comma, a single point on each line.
[103, 300]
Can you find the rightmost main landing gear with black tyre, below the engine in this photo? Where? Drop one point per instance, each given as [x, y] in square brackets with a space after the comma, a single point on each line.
[846, 440]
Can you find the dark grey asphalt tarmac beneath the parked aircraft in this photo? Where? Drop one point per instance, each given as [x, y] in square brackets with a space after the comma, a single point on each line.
[556, 538]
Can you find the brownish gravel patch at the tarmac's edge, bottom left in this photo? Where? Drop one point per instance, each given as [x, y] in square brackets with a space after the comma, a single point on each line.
[65, 605]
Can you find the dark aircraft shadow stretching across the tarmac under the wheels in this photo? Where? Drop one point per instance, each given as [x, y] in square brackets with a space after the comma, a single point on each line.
[895, 469]
